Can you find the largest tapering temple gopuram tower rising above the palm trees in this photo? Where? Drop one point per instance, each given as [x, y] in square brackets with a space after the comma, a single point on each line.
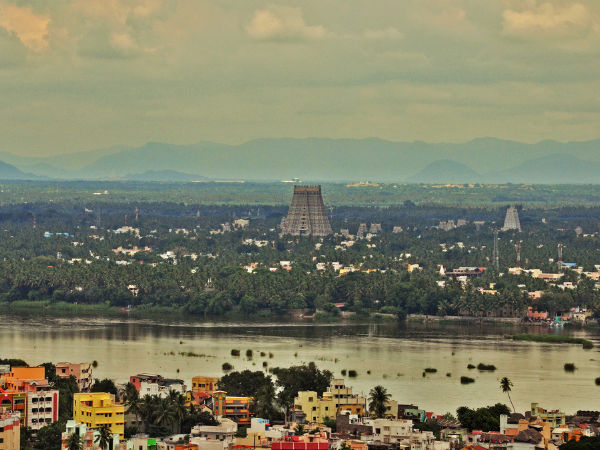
[307, 215]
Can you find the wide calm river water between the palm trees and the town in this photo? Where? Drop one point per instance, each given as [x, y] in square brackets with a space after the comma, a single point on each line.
[394, 355]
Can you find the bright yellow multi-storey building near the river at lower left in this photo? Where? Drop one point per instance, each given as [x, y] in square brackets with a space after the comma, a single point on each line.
[95, 409]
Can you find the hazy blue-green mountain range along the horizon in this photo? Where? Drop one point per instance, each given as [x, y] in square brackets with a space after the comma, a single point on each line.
[486, 160]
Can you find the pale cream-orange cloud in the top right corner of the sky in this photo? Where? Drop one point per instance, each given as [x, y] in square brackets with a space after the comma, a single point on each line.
[547, 19]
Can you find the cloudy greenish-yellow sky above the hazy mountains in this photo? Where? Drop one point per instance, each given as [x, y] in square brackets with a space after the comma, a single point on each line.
[85, 74]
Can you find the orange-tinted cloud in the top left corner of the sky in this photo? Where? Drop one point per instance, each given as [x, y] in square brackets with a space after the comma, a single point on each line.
[30, 28]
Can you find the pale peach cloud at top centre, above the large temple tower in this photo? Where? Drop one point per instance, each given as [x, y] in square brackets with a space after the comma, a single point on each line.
[283, 23]
